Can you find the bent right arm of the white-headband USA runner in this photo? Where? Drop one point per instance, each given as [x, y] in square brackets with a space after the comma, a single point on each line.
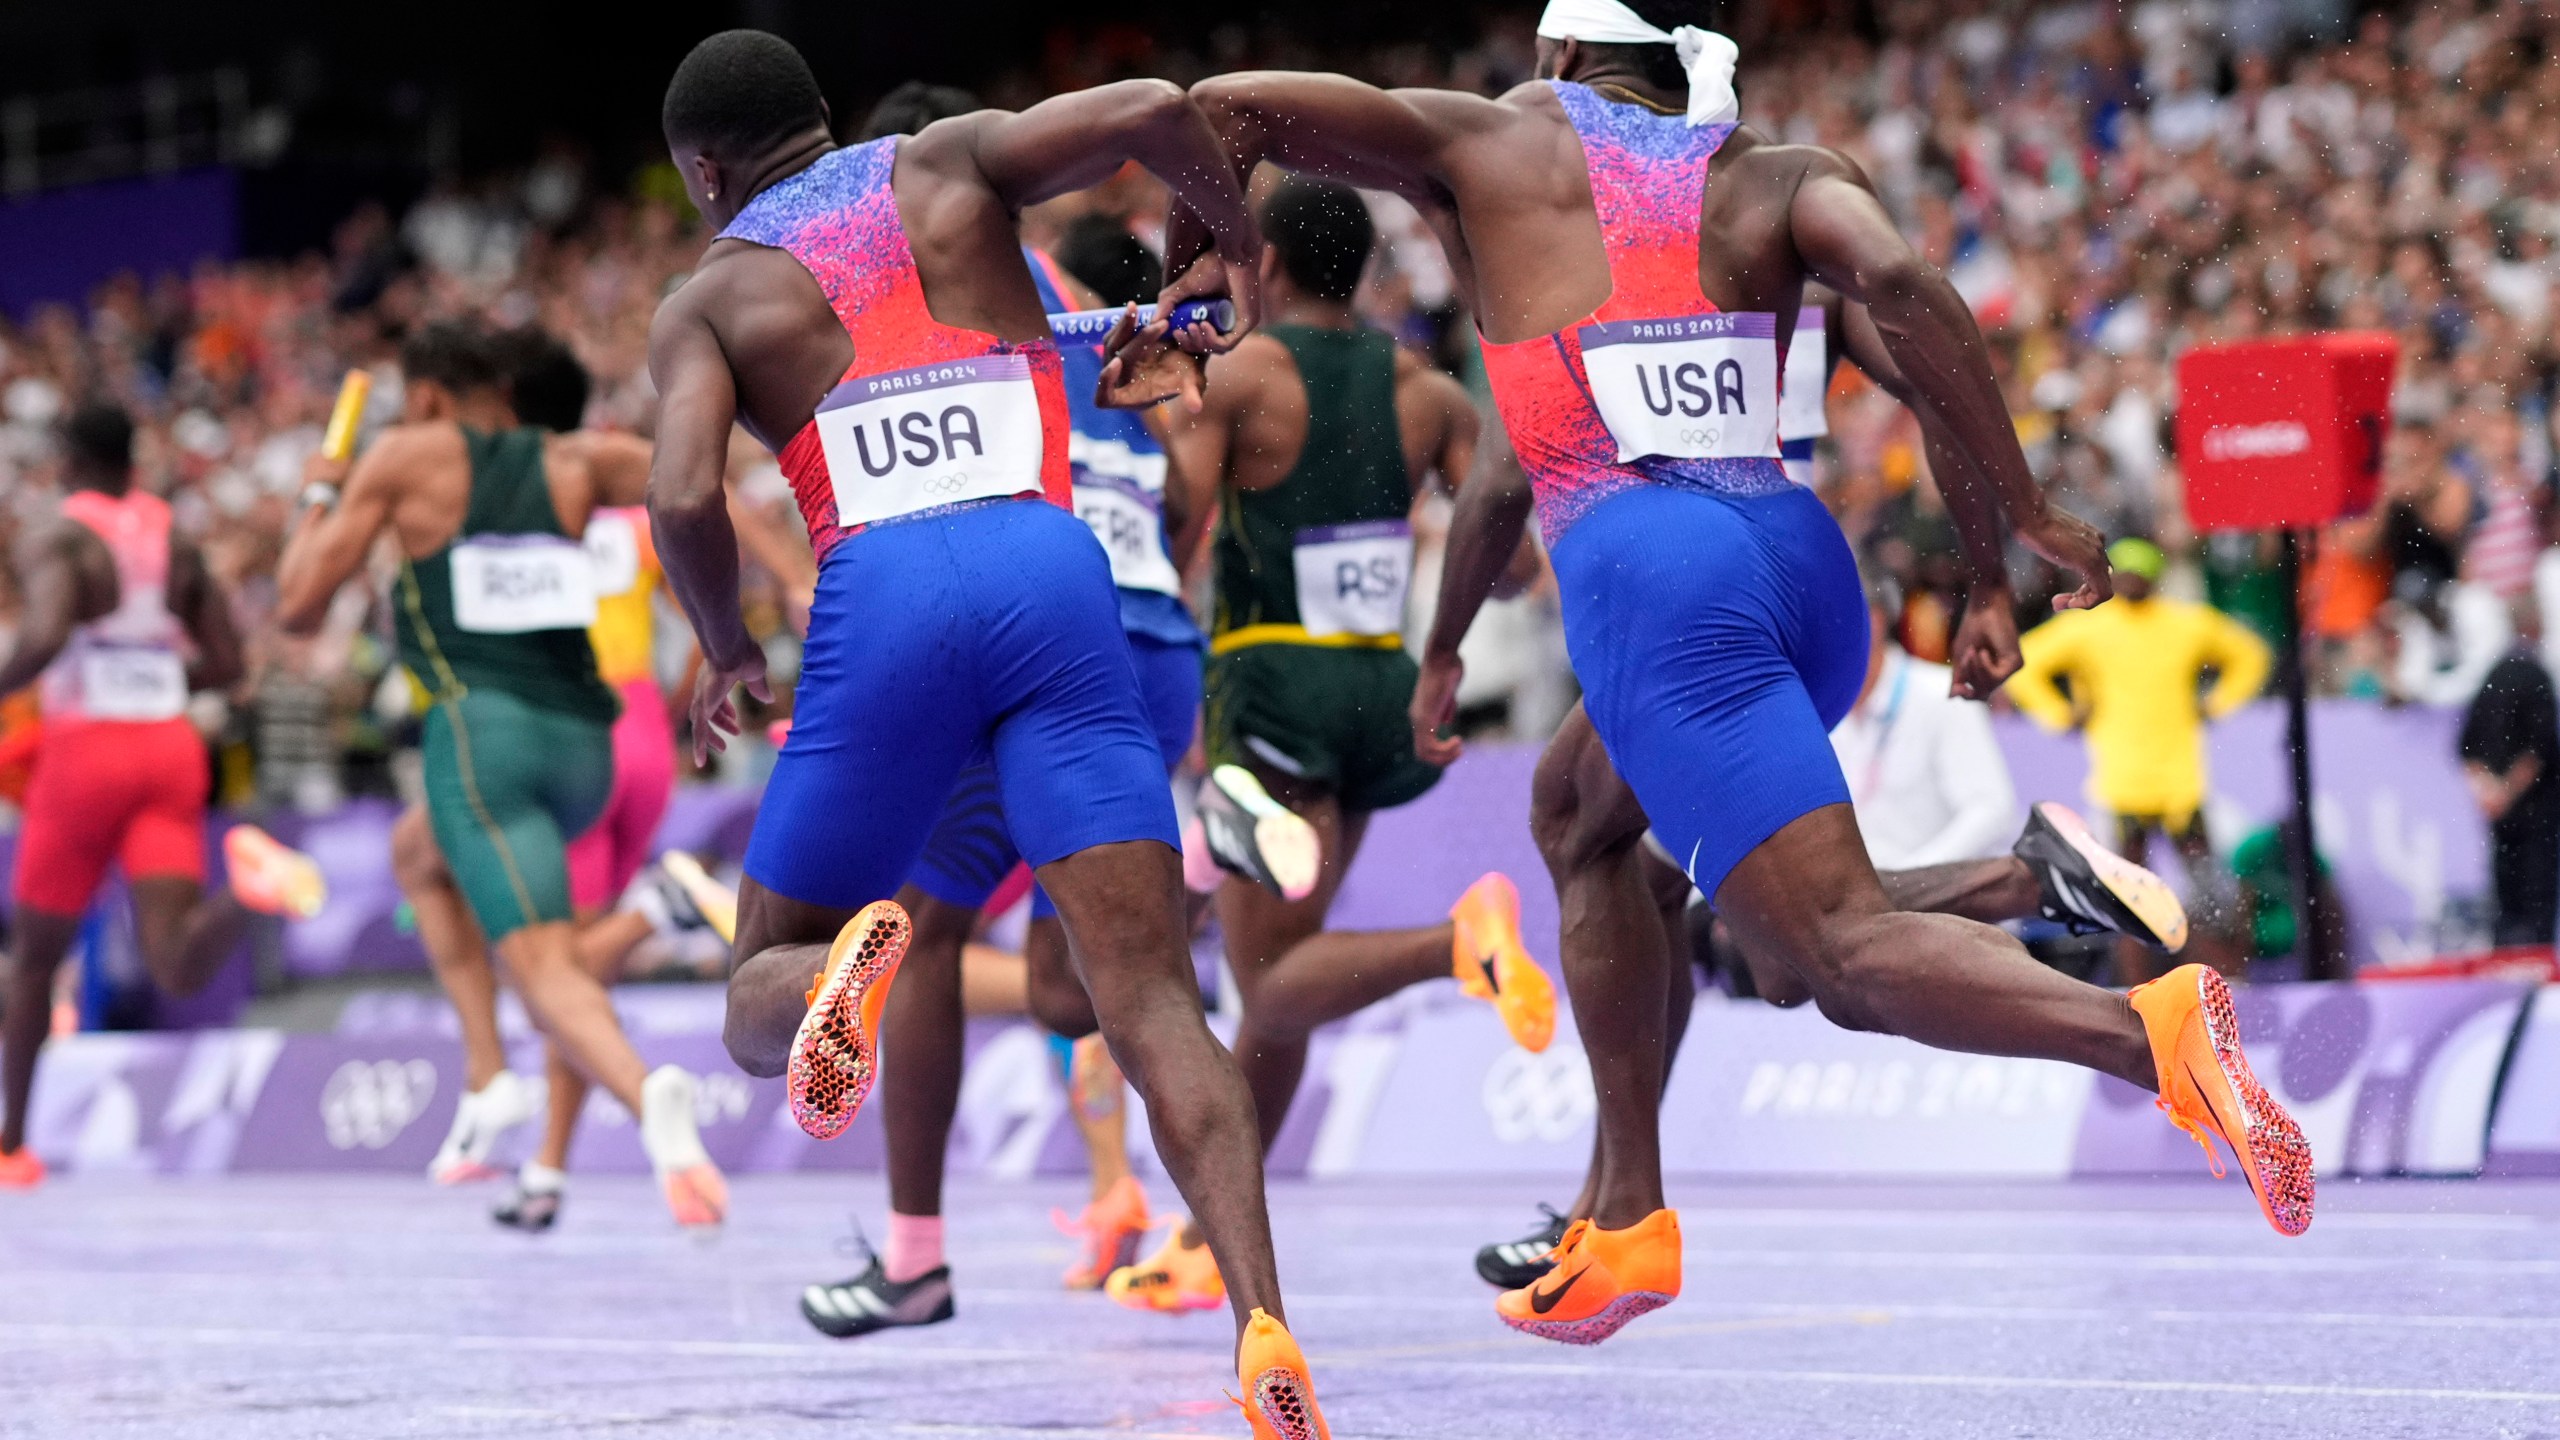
[1850, 242]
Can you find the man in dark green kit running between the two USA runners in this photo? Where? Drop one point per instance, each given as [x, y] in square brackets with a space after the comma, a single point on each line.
[1320, 434]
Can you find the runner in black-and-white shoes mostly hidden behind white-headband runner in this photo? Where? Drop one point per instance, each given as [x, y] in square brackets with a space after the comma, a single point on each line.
[1591, 829]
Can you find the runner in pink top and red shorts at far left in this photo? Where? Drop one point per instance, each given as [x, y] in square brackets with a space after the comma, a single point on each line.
[122, 624]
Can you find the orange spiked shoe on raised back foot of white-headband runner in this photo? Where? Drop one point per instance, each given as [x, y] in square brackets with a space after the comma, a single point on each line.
[2211, 1093]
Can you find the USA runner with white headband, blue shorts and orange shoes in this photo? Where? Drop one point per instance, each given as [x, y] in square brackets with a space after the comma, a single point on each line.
[1632, 334]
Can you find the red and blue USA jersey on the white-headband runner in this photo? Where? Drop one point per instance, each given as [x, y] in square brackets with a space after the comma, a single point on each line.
[1647, 178]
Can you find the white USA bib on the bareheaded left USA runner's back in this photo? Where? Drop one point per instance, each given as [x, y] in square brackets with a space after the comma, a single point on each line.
[936, 434]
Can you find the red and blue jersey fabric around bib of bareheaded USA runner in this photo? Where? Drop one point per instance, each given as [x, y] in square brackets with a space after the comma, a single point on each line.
[841, 222]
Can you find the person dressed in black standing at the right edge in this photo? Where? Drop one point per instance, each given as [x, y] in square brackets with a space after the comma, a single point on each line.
[2513, 760]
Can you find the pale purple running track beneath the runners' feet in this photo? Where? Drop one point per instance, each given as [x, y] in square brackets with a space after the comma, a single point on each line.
[380, 1308]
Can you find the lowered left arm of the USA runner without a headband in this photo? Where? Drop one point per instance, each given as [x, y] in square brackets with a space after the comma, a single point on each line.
[690, 511]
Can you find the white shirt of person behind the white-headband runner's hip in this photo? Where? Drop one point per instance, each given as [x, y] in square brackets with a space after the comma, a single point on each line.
[1924, 770]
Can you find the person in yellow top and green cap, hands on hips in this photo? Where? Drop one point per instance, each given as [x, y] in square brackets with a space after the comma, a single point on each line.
[2136, 688]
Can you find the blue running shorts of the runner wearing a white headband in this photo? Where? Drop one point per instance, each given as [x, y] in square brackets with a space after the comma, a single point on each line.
[1719, 642]
